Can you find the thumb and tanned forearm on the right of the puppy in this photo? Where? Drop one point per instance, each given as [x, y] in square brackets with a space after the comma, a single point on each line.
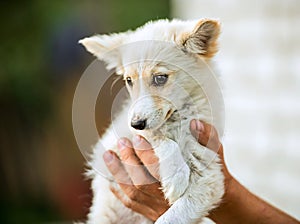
[239, 205]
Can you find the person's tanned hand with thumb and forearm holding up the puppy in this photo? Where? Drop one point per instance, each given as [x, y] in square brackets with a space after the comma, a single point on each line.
[137, 174]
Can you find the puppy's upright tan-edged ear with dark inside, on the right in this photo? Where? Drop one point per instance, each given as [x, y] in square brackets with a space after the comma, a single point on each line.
[203, 39]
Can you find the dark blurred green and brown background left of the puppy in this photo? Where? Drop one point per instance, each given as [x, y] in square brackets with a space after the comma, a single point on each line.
[41, 62]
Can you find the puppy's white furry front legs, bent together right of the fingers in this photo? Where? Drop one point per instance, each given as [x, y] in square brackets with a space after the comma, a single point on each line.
[194, 191]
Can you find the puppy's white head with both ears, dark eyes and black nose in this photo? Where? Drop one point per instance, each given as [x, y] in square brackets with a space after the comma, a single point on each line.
[153, 60]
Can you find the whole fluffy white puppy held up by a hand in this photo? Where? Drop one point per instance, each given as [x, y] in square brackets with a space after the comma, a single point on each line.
[166, 68]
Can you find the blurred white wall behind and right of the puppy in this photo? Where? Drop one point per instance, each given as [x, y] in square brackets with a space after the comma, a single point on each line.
[259, 60]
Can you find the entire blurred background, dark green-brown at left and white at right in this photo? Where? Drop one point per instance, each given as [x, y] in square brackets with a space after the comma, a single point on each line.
[41, 166]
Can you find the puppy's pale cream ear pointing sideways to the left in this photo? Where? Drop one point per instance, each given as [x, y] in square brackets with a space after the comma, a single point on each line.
[105, 47]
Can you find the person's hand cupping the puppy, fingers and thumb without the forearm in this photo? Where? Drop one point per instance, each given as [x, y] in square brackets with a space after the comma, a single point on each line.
[137, 170]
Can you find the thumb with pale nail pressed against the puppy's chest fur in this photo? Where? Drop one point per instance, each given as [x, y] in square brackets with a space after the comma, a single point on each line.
[206, 135]
